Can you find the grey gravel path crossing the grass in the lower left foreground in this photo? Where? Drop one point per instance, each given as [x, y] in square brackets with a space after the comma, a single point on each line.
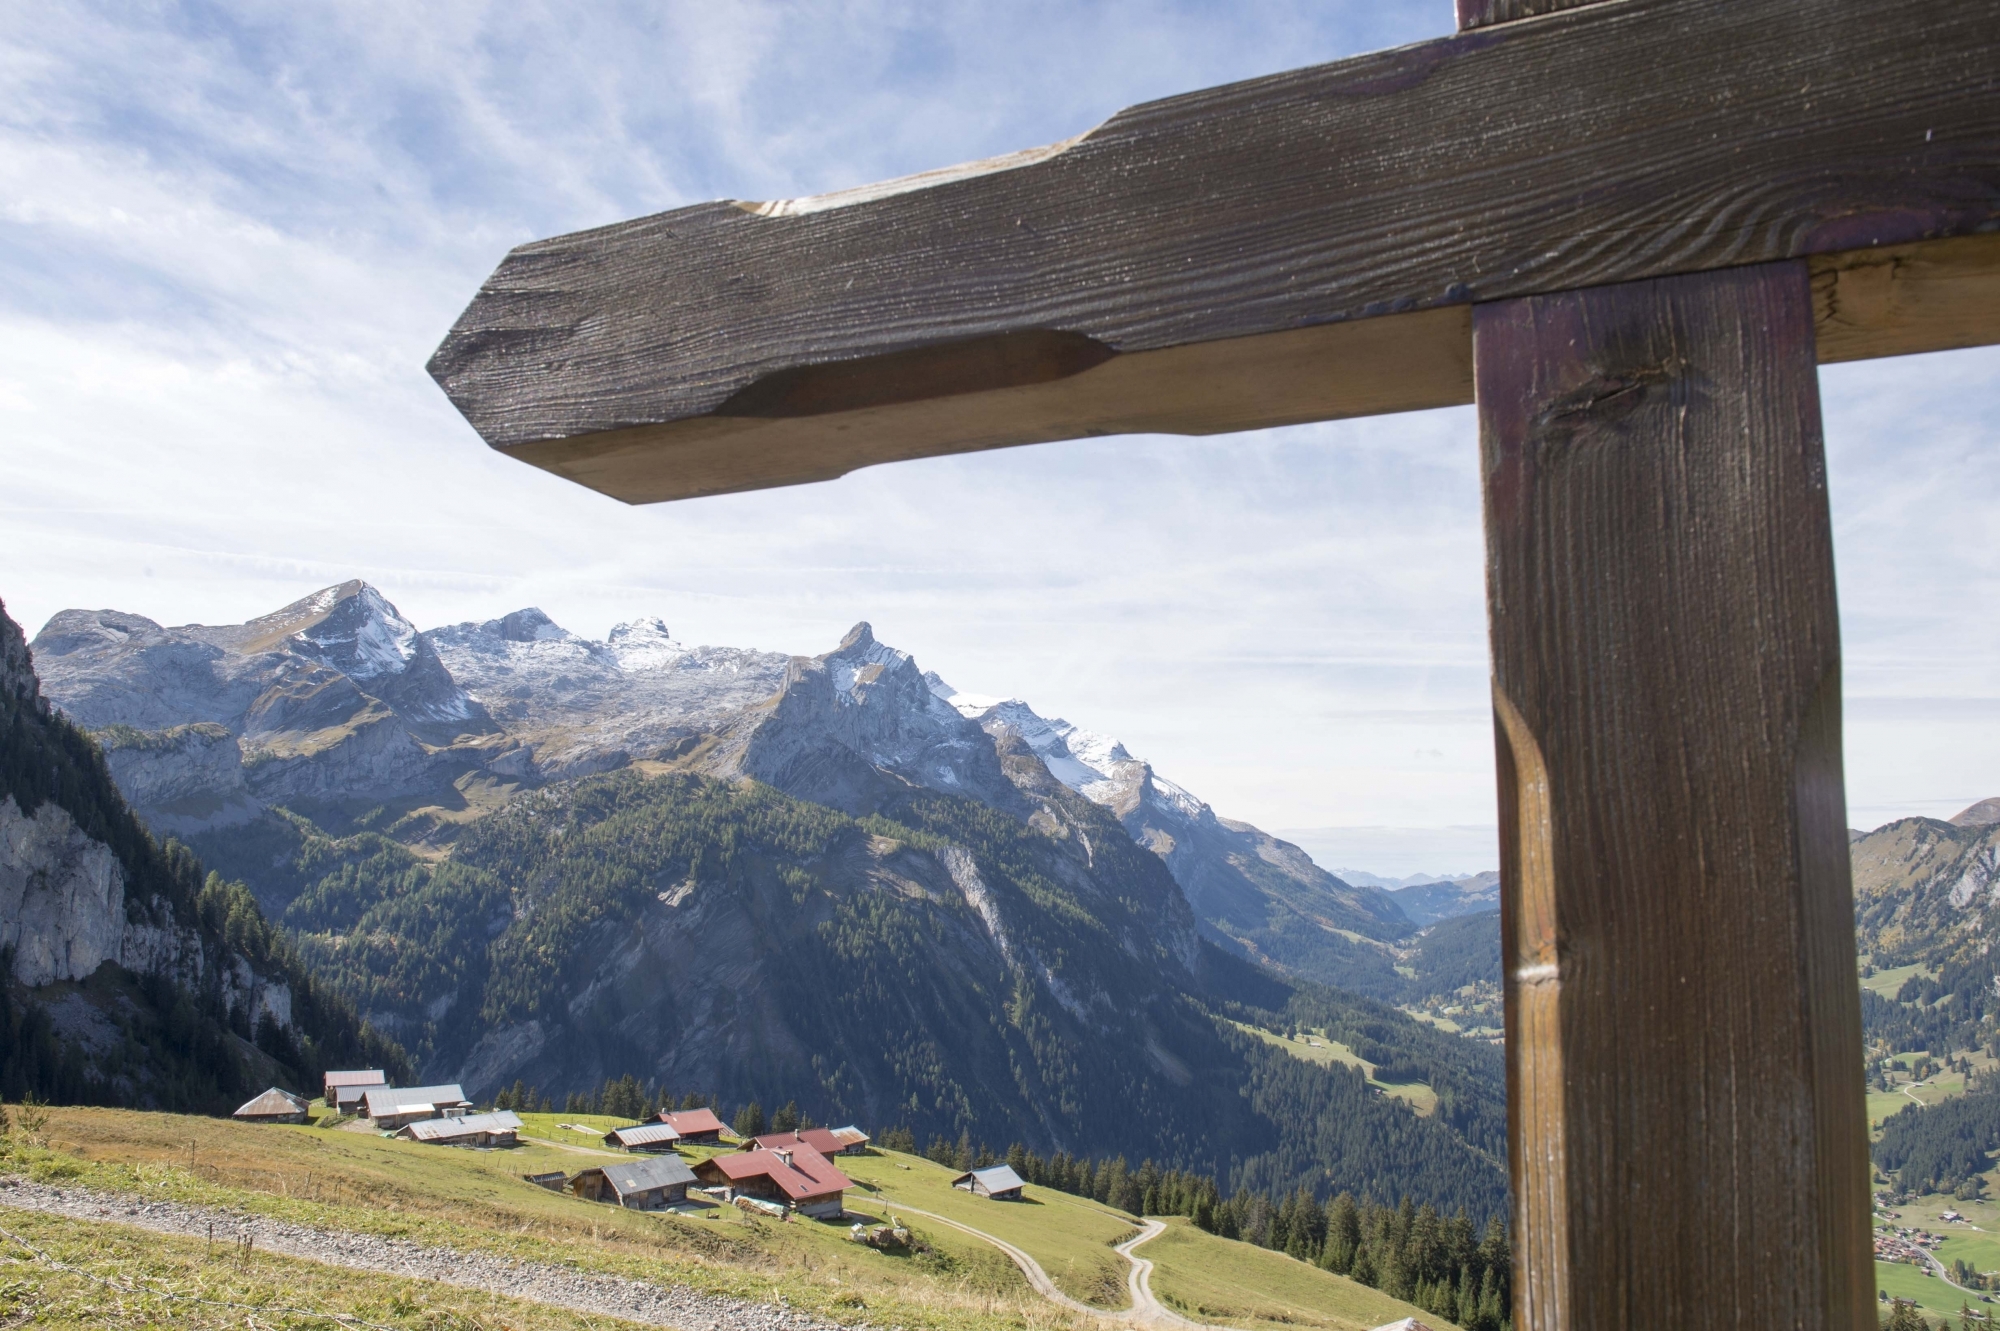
[613, 1296]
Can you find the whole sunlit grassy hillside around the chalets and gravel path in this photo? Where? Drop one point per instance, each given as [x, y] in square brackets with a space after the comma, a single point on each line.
[477, 1202]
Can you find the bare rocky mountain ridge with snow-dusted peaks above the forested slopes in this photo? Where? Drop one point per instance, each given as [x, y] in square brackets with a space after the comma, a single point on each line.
[341, 708]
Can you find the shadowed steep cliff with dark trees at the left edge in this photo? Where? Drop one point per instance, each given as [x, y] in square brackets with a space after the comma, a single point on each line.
[131, 976]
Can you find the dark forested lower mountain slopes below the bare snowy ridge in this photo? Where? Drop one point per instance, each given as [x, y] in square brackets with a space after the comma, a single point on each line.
[933, 966]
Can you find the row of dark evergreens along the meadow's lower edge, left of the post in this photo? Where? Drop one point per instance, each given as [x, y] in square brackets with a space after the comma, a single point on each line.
[1445, 1266]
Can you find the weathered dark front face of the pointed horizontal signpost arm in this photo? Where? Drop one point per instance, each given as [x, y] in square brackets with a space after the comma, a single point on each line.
[1617, 141]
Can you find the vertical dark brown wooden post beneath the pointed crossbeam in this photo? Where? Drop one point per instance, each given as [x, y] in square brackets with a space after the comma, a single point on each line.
[1685, 1060]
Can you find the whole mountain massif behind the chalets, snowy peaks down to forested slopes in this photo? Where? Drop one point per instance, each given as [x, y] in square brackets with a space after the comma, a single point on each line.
[819, 882]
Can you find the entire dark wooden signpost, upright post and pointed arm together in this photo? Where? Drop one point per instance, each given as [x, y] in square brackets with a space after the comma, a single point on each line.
[1629, 231]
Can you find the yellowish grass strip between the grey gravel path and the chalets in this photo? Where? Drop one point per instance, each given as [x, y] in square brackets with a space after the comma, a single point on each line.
[479, 1202]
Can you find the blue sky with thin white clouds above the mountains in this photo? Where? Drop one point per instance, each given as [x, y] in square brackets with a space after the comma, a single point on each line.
[233, 235]
